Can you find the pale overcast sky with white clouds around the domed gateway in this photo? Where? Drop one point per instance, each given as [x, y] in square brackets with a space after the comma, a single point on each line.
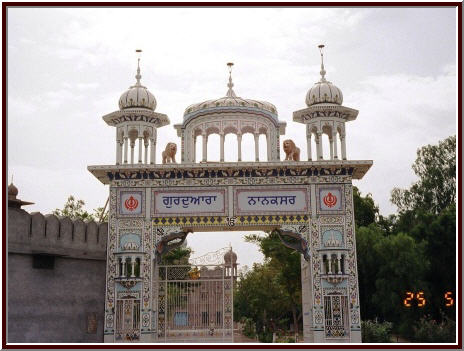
[68, 67]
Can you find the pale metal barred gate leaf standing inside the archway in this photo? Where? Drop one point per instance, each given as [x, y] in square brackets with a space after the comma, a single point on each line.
[195, 301]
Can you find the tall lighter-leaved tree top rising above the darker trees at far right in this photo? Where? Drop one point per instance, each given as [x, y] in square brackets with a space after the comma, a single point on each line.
[435, 190]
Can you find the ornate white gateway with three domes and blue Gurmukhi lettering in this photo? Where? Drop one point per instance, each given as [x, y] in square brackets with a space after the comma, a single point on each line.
[153, 207]
